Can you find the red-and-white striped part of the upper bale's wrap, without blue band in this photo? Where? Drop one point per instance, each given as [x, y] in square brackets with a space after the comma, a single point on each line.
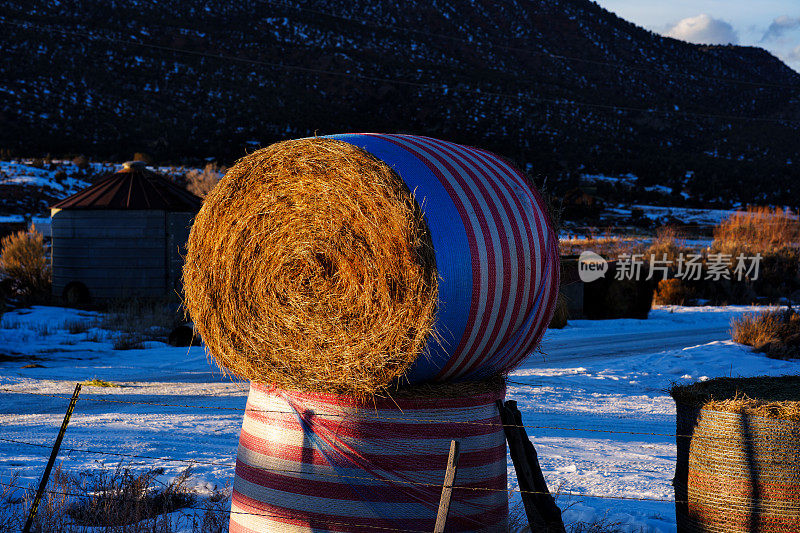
[514, 250]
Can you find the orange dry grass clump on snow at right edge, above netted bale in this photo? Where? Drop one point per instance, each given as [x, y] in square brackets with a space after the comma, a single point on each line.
[775, 332]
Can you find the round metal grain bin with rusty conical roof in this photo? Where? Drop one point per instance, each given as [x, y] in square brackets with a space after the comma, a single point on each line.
[124, 236]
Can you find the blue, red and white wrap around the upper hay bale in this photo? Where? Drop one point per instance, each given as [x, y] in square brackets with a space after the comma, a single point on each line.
[496, 253]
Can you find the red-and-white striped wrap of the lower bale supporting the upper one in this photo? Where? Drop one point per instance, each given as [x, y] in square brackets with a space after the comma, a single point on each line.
[321, 462]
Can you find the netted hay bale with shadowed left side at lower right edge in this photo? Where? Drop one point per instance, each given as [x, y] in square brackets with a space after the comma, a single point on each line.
[738, 461]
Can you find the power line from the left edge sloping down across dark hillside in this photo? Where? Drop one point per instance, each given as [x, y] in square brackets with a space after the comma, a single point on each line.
[430, 86]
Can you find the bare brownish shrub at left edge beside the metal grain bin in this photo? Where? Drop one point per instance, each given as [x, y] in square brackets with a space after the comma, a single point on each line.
[24, 260]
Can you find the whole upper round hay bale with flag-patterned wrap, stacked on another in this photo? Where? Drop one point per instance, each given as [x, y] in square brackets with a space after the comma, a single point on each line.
[344, 264]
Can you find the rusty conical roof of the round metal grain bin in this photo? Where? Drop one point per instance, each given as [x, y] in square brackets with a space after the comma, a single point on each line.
[132, 187]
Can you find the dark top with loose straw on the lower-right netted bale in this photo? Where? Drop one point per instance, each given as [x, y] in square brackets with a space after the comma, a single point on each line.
[771, 397]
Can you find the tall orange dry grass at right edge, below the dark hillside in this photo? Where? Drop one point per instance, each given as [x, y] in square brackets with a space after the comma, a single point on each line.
[757, 229]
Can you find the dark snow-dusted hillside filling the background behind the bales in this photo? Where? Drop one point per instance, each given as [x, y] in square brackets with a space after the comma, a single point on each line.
[563, 87]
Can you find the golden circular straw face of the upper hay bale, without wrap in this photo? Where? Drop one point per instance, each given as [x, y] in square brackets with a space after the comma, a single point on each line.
[310, 266]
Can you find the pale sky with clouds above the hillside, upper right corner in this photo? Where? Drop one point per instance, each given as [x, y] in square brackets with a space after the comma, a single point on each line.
[770, 24]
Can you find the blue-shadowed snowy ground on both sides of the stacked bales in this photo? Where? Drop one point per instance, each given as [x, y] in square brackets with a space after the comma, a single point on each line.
[596, 404]
